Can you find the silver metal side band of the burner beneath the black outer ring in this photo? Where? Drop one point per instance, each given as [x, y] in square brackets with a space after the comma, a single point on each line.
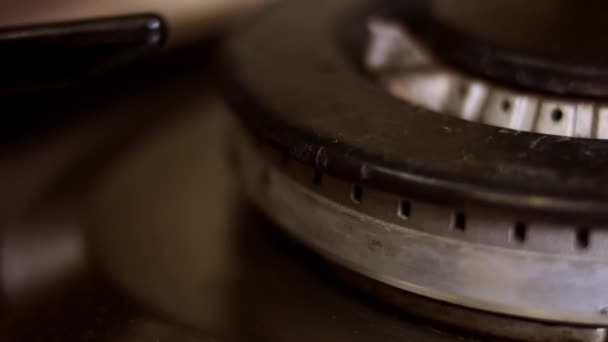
[354, 229]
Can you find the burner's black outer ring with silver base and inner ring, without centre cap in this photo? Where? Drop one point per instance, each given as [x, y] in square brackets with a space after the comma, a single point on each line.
[502, 230]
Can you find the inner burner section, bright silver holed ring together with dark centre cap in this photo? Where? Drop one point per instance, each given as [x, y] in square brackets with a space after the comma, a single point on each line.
[509, 64]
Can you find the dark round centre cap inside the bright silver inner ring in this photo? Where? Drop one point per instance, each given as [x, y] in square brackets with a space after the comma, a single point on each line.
[547, 45]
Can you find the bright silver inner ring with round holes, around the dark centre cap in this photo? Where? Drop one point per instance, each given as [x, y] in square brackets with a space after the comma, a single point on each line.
[411, 73]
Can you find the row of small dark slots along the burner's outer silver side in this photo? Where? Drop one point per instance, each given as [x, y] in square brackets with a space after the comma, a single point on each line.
[459, 219]
